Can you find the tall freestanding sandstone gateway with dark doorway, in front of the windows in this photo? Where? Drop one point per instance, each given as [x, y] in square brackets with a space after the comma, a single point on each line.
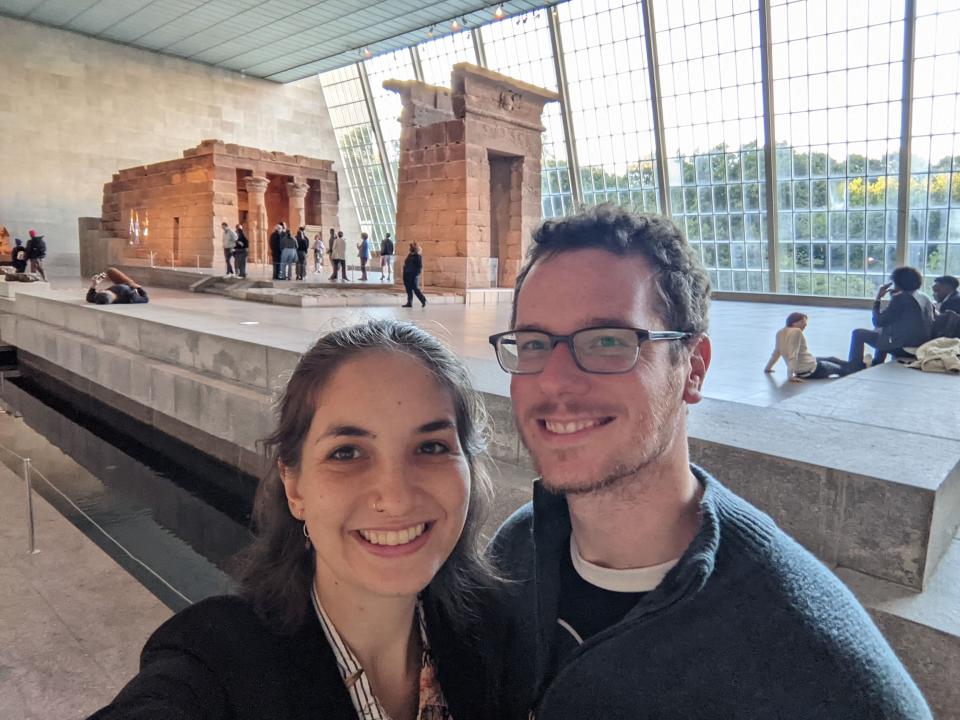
[447, 144]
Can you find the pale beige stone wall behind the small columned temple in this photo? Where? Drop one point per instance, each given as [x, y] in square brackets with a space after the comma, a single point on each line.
[74, 110]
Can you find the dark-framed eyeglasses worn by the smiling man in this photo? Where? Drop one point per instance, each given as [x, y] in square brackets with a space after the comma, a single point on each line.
[601, 350]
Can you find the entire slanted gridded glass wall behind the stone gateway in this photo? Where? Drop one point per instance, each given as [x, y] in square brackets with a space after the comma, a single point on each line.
[679, 103]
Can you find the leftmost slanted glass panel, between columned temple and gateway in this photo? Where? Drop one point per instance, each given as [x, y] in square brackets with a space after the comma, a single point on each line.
[343, 92]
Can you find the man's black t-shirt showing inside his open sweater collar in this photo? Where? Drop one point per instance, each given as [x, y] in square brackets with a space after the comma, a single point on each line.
[585, 609]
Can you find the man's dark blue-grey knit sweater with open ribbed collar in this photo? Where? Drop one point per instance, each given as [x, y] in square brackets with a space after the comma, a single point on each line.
[748, 624]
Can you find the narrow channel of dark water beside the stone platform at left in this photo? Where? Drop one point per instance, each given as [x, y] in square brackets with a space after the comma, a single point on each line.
[182, 513]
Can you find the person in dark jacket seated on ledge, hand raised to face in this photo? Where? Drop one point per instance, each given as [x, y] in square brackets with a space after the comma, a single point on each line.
[906, 321]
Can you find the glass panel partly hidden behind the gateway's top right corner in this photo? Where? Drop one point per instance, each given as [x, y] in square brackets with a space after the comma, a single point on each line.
[520, 47]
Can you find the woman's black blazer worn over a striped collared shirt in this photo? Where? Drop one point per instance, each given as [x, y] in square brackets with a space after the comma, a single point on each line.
[217, 660]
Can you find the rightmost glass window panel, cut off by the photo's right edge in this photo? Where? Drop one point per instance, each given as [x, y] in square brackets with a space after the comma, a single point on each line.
[934, 230]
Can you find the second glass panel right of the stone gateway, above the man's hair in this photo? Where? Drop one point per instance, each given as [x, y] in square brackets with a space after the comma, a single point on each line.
[606, 62]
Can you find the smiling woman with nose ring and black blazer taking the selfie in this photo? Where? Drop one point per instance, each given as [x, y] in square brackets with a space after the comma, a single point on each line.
[359, 593]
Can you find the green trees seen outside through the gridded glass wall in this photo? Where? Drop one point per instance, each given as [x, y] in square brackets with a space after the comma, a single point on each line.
[836, 219]
